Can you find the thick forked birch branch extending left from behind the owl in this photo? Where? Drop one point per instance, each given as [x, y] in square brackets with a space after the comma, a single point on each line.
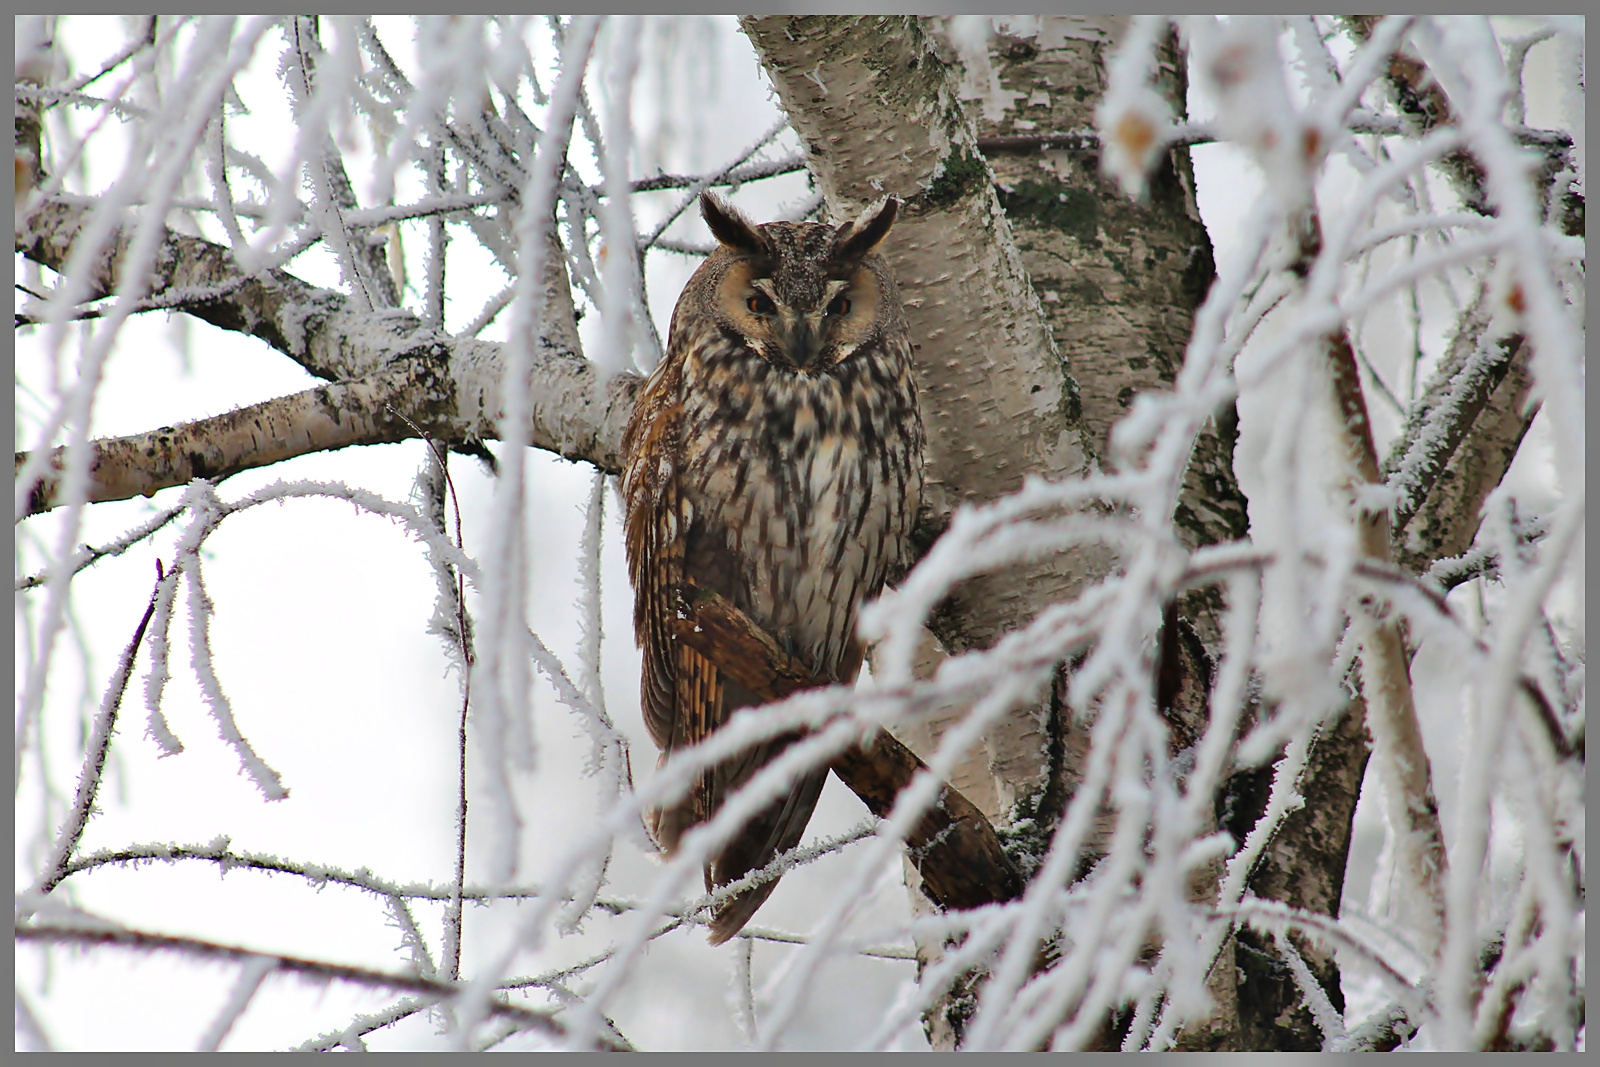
[380, 366]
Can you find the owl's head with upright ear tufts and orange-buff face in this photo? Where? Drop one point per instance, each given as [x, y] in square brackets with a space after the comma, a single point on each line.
[802, 295]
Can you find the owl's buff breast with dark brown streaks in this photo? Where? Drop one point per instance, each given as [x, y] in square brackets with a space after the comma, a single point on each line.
[804, 484]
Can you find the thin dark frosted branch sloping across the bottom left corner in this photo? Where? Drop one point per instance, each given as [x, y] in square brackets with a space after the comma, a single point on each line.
[287, 965]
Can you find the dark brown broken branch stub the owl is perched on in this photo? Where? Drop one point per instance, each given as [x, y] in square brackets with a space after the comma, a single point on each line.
[954, 847]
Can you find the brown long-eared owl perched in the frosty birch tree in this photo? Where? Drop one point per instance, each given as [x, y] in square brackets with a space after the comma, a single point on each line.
[775, 458]
